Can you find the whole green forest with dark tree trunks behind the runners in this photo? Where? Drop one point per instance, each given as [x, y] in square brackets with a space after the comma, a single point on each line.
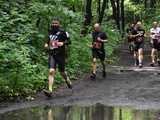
[24, 26]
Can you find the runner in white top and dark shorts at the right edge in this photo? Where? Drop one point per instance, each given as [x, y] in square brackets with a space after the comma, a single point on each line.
[155, 43]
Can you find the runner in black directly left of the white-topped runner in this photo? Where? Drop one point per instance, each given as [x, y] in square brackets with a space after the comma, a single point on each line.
[138, 34]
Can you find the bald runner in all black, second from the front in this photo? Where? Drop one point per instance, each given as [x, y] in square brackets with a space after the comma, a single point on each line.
[98, 50]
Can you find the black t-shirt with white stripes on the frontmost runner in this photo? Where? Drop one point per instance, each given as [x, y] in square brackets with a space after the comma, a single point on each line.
[59, 36]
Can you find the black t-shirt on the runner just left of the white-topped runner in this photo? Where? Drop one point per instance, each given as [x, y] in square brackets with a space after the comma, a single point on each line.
[140, 32]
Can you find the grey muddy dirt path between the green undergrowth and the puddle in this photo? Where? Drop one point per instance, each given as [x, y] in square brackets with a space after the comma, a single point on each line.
[124, 85]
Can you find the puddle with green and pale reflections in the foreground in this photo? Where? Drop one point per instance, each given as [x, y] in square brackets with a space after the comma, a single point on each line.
[97, 112]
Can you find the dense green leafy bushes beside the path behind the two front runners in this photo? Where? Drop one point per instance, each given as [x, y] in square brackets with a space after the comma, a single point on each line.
[23, 60]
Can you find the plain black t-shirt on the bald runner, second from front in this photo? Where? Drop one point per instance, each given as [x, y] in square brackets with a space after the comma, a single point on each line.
[98, 44]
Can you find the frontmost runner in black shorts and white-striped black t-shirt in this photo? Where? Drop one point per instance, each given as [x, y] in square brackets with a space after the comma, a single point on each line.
[57, 41]
